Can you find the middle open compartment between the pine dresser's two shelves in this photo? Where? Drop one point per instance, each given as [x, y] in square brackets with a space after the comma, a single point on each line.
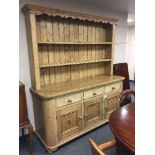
[63, 55]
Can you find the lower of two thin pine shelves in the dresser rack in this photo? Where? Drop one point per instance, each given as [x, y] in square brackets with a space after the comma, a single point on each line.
[74, 63]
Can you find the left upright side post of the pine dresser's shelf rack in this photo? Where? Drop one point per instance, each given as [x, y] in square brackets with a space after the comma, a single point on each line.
[33, 50]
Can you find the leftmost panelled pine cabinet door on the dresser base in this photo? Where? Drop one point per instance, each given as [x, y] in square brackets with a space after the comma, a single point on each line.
[68, 120]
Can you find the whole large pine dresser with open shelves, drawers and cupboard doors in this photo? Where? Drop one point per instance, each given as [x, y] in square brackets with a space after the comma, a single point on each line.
[71, 65]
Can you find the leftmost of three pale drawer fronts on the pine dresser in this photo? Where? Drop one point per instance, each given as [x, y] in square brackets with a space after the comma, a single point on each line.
[60, 102]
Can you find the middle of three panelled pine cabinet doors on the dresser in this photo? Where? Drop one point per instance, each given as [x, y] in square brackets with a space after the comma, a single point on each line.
[93, 110]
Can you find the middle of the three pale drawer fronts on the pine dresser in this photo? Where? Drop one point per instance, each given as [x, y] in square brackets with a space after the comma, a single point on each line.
[94, 92]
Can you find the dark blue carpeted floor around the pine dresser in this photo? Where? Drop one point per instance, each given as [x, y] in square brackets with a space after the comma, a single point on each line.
[79, 146]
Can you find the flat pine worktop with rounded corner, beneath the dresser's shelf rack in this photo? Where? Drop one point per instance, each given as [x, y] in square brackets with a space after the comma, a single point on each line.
[76, 85]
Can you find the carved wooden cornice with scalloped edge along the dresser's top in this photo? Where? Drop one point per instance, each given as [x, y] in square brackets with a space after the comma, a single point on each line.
[38, 10]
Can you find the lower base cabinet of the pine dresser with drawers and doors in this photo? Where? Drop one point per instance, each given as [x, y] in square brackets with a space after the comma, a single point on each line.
[61, 118]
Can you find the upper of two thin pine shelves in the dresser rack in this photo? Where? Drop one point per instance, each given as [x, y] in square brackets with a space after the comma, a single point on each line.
[76, 43]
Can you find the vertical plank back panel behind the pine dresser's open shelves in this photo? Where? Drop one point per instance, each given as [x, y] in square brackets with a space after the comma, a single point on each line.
[56, 29]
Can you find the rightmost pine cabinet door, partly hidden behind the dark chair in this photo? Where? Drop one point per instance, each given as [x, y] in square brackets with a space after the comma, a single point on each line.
[111, 103]
